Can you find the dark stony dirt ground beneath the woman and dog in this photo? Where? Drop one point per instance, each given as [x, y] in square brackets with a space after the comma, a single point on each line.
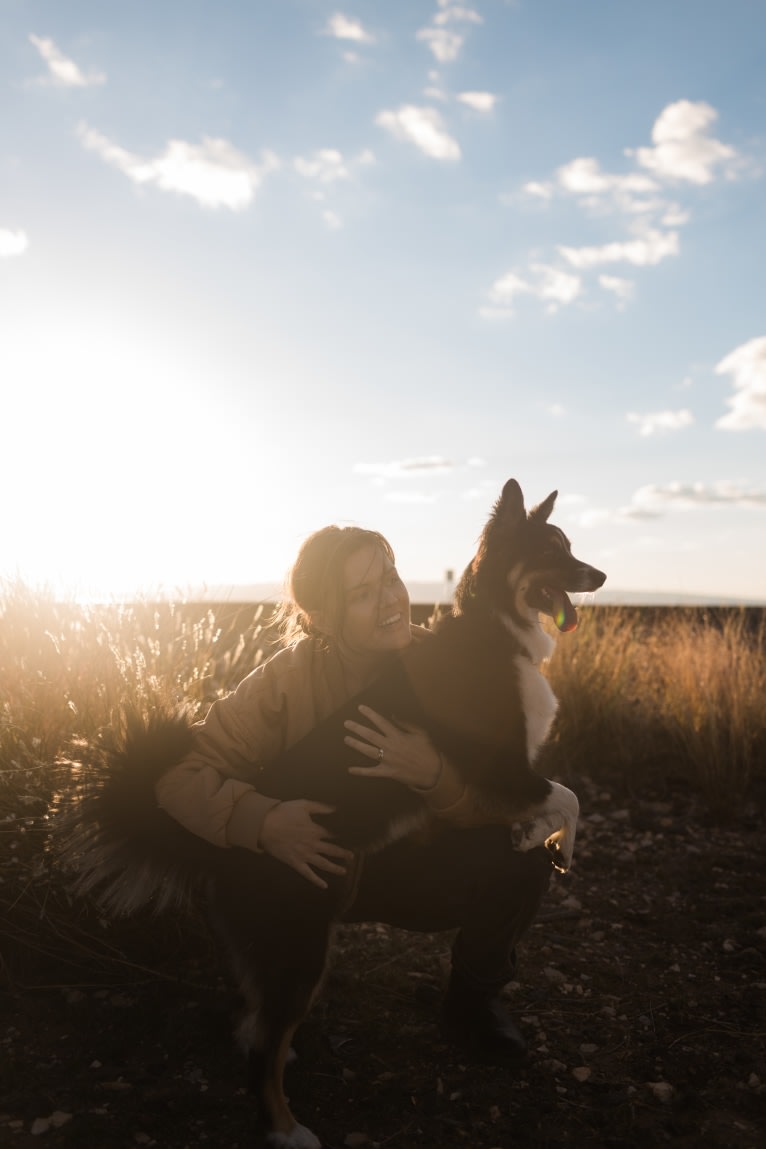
[641, 991]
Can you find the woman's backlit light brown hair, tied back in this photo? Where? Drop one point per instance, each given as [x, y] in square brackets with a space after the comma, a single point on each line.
[316, 581]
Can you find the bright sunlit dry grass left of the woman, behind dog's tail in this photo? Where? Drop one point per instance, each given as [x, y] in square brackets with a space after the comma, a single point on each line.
[66, 670]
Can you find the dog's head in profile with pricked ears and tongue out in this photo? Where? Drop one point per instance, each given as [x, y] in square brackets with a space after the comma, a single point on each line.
[525, 567]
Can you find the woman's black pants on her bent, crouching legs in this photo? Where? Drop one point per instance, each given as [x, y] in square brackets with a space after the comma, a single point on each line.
[471, 881]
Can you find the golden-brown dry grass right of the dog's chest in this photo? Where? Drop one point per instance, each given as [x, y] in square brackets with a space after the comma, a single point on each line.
[674, 693]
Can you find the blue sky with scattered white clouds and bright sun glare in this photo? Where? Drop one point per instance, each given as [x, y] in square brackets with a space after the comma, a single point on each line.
[273, 265]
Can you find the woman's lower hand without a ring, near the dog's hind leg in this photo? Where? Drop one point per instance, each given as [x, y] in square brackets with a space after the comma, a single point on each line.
[291, 835]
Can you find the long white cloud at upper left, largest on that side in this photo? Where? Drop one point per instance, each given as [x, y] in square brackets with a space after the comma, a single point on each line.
[214, 173]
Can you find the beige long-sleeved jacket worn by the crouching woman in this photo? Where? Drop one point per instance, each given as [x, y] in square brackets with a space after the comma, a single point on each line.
[272, 710]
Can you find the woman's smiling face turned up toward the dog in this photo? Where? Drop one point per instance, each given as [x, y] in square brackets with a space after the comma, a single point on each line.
[377, 606]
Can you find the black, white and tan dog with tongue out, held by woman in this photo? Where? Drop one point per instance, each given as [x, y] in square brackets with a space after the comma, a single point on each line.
[476, 687]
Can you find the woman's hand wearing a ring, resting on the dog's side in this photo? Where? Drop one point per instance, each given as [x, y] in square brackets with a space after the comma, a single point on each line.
[408, 757]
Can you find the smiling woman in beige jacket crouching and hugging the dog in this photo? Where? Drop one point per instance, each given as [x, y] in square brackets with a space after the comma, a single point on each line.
[347, 613]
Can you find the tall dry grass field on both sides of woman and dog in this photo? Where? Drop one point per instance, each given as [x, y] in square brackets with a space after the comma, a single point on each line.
[649, 699]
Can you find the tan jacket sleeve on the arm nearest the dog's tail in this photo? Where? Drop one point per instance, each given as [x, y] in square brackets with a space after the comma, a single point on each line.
[247, 727]
